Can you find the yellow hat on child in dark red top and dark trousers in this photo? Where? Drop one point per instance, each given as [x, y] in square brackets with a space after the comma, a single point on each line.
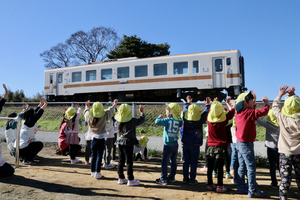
[216, 113]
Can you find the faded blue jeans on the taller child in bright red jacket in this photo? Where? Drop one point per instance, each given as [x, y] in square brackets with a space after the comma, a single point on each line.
[246, 161]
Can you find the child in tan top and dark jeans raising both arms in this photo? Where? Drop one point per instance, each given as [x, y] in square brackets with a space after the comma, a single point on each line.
[96, 118]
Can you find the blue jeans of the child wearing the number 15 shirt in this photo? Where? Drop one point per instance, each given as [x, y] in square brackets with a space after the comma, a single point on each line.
[170, 152]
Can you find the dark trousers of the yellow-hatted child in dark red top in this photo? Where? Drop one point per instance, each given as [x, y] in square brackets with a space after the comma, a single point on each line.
[219, 166]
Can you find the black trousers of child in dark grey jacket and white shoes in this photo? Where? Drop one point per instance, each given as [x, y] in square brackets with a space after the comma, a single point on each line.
[125, 153]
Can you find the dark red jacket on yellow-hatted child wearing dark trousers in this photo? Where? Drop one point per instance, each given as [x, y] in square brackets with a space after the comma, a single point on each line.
[217, 132]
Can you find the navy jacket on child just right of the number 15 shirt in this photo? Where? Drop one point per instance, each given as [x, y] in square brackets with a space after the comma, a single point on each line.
[193, 130]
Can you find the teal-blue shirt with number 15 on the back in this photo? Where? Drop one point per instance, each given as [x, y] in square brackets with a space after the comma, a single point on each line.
[171, 128]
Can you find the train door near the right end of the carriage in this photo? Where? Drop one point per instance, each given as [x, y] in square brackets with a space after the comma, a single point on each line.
[219, 79]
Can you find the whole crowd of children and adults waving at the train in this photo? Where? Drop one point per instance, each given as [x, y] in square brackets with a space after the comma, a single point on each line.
[282, 139]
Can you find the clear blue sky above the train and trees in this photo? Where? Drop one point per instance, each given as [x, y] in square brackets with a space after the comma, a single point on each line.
[266, 33]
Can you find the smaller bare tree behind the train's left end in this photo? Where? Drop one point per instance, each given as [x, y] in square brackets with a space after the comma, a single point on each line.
[58, 56]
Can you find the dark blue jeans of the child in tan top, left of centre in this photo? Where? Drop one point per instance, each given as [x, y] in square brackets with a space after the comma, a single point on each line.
[97, 148]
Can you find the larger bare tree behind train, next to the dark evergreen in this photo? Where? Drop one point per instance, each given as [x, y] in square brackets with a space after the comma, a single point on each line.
[93, 45]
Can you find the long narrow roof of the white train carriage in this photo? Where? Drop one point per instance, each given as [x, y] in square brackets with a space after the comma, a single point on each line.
[136, 58]
